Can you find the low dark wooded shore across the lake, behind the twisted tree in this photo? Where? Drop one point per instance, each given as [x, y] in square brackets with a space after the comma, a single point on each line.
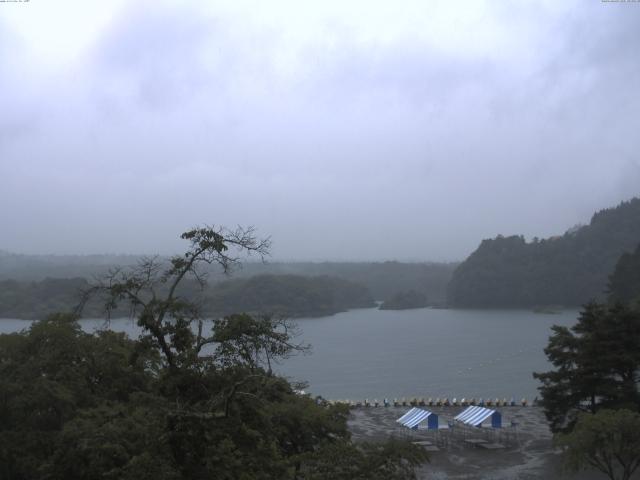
[286, 295]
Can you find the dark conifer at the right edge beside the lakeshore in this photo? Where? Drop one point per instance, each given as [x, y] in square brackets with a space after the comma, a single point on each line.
[597, 364]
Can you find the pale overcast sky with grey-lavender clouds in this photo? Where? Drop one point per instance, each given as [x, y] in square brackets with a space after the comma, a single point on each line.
[344, 130]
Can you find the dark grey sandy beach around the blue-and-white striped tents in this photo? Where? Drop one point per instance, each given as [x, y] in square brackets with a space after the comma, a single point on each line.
[528, 451]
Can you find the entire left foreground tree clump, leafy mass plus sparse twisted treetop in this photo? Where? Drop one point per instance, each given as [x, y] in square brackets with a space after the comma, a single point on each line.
[180, 402]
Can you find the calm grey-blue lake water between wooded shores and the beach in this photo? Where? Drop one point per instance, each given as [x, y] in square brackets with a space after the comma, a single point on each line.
[370, 353]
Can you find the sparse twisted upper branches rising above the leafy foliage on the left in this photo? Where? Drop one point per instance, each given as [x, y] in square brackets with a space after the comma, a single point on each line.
[152, 289]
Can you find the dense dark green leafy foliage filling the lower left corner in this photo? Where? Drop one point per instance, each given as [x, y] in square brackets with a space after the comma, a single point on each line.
[85, 406]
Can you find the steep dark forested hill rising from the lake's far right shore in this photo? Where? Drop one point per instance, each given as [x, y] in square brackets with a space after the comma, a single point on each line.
[567, 270]
